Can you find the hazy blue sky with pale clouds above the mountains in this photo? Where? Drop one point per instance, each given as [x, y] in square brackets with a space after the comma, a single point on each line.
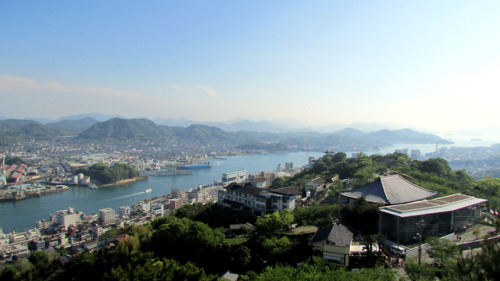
[432, 65]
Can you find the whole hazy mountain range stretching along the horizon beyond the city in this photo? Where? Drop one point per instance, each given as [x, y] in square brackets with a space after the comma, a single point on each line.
[90, 129]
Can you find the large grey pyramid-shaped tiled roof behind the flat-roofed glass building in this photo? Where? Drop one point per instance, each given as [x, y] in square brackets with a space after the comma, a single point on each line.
[390, 190]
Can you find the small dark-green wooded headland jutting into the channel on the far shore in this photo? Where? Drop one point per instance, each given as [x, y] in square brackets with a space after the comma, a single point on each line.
[104, 174]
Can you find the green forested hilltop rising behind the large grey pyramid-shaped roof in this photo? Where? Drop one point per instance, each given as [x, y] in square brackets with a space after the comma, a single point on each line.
[434, 174]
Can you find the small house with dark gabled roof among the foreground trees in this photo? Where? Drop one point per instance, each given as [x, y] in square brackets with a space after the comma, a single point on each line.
[334, 242]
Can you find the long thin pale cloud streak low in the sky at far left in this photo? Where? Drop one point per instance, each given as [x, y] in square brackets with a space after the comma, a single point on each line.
[13, 83]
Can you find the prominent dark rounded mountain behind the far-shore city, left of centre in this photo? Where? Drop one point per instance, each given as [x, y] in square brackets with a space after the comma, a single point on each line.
[122, 129]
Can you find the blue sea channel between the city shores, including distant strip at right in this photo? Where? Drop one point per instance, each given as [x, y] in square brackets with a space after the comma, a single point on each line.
[22, 215]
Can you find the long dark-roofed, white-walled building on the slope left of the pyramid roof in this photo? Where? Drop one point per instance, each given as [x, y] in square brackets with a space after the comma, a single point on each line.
[259, 200]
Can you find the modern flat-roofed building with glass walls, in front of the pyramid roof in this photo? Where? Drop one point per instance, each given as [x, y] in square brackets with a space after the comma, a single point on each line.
[437, 217]
